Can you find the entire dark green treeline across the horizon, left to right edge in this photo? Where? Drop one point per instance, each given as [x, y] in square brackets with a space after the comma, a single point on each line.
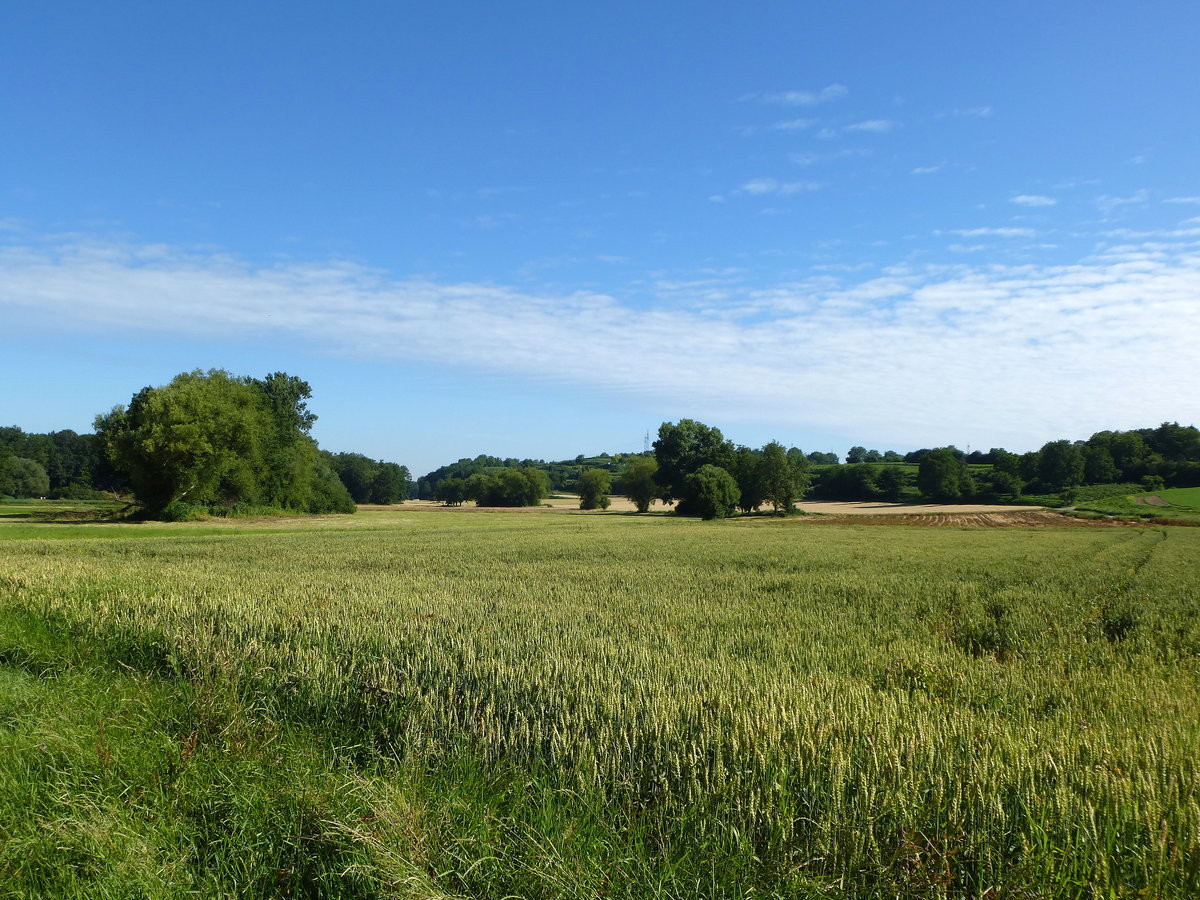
[219, 443]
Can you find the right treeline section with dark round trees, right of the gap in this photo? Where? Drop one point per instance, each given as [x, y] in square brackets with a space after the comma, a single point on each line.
[697, 470]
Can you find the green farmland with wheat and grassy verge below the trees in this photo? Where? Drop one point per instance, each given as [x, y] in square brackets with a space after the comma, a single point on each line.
[490, 705]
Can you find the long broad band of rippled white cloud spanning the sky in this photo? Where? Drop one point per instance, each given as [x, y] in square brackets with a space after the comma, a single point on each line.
[982, 353]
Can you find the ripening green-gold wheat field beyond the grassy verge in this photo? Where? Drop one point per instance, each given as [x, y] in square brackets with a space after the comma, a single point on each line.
[849, 711]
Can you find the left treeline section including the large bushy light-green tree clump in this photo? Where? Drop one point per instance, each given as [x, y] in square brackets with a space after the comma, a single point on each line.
[207, 442]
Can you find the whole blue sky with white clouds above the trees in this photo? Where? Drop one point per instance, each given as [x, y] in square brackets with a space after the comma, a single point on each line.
[542, 230]
